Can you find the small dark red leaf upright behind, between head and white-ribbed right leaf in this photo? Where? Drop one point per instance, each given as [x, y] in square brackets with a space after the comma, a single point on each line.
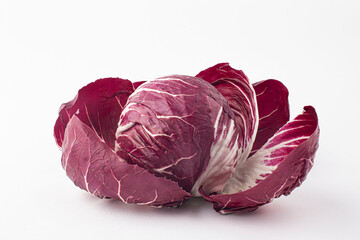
[273, 107]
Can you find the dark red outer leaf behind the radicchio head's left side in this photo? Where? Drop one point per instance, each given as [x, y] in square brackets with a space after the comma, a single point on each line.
[98, 105]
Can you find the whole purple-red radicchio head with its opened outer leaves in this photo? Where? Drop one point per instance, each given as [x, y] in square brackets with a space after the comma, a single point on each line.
[163, 141]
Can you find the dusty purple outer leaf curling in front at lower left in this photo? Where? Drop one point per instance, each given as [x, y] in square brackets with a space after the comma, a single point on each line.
[94, 167]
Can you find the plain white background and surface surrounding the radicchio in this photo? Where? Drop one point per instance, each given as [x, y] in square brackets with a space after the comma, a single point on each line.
[50, 49]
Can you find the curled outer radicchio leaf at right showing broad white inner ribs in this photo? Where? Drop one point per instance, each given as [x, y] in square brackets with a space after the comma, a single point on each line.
[277, 168]
